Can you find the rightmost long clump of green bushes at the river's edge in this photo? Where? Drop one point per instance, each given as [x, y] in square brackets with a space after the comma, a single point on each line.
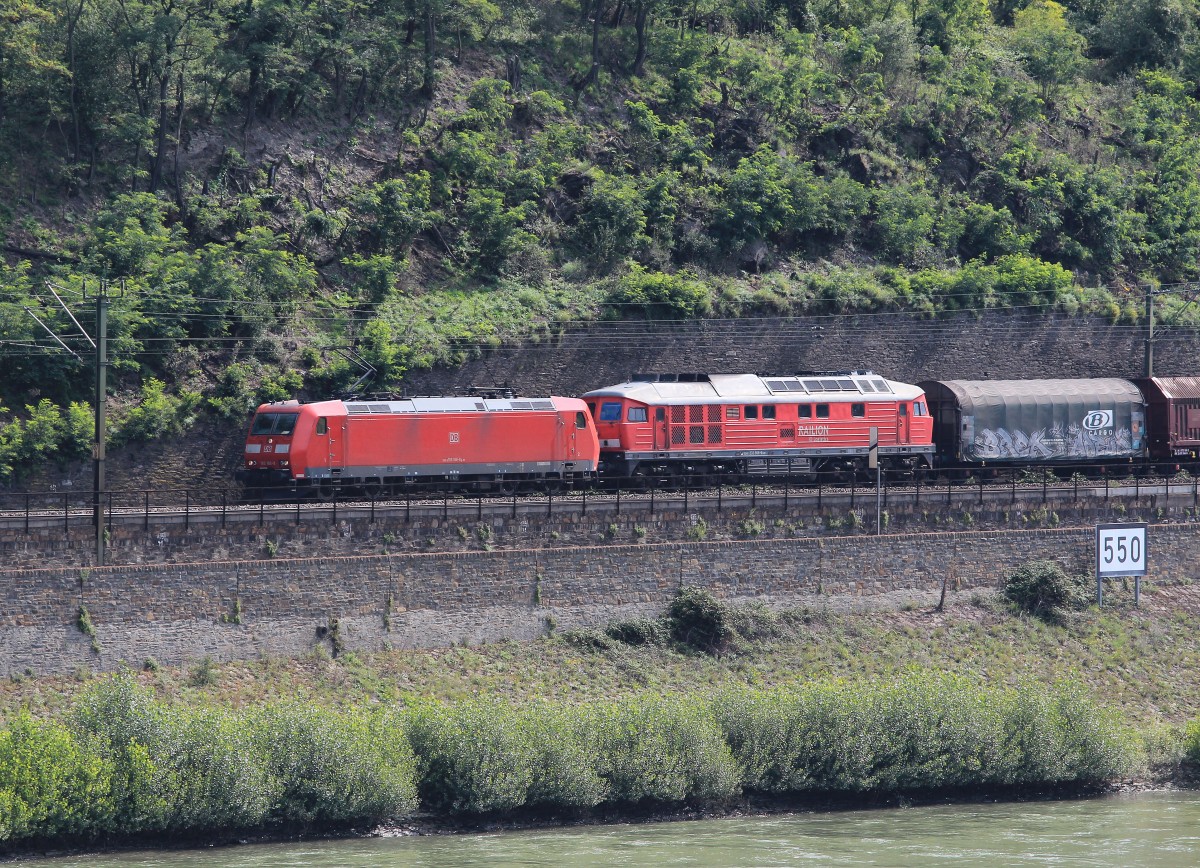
[922, 733]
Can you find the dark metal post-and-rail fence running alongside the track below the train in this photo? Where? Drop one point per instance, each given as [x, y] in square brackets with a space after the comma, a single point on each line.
[37, 511]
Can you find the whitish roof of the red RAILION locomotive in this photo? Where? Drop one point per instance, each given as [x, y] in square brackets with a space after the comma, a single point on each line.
[766, 390]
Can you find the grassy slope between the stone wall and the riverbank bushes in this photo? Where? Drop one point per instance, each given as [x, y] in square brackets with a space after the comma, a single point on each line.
[1143, 663]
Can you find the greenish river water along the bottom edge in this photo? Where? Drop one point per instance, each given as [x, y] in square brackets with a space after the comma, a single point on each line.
[1148, 829]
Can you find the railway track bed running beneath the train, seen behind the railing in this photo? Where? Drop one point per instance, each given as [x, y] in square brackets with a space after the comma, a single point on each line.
[39, 511]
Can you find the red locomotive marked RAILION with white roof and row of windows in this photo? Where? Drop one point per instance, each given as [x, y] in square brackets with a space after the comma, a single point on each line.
[742, 423]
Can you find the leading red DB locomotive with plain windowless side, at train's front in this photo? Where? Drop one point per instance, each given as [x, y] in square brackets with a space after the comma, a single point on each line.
[380, 446]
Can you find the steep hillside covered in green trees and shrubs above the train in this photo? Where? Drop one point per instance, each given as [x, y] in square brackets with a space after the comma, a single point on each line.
[284, 197]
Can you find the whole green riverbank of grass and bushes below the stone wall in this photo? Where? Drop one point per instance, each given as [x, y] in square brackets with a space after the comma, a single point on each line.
[709, 705]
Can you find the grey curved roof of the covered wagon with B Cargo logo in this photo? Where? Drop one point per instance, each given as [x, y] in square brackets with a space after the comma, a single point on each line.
[979, 394]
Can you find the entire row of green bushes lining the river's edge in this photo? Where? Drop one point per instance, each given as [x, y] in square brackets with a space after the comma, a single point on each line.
[123, 763]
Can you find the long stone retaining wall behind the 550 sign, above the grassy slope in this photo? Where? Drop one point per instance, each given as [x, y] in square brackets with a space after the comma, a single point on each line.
[242, 610]
